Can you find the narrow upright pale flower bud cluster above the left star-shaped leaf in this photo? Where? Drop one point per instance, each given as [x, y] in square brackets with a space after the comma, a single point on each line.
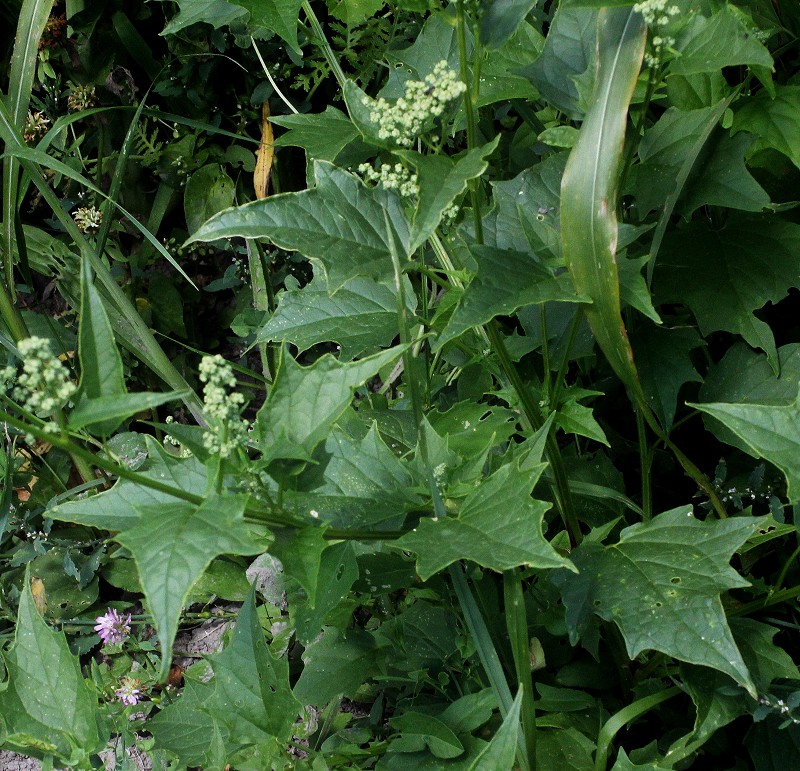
[227, 432]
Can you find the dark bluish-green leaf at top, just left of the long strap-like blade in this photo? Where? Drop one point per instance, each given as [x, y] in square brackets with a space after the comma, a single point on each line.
[568, 53]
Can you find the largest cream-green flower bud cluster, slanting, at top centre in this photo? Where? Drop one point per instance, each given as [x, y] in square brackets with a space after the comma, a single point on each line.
[422, 101]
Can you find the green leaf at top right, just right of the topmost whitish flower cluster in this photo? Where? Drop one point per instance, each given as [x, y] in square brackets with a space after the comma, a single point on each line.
[710, 43]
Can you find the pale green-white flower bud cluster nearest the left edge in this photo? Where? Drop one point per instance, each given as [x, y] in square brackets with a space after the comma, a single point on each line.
[44, 384]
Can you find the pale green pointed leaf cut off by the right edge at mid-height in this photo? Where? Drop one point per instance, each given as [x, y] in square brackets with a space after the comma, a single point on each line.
[769, 432]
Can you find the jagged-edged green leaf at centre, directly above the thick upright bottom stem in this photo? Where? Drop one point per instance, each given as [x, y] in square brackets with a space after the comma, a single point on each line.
[499, 526]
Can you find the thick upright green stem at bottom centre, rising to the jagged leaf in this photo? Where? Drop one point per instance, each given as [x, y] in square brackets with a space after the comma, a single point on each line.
[517, 625]
